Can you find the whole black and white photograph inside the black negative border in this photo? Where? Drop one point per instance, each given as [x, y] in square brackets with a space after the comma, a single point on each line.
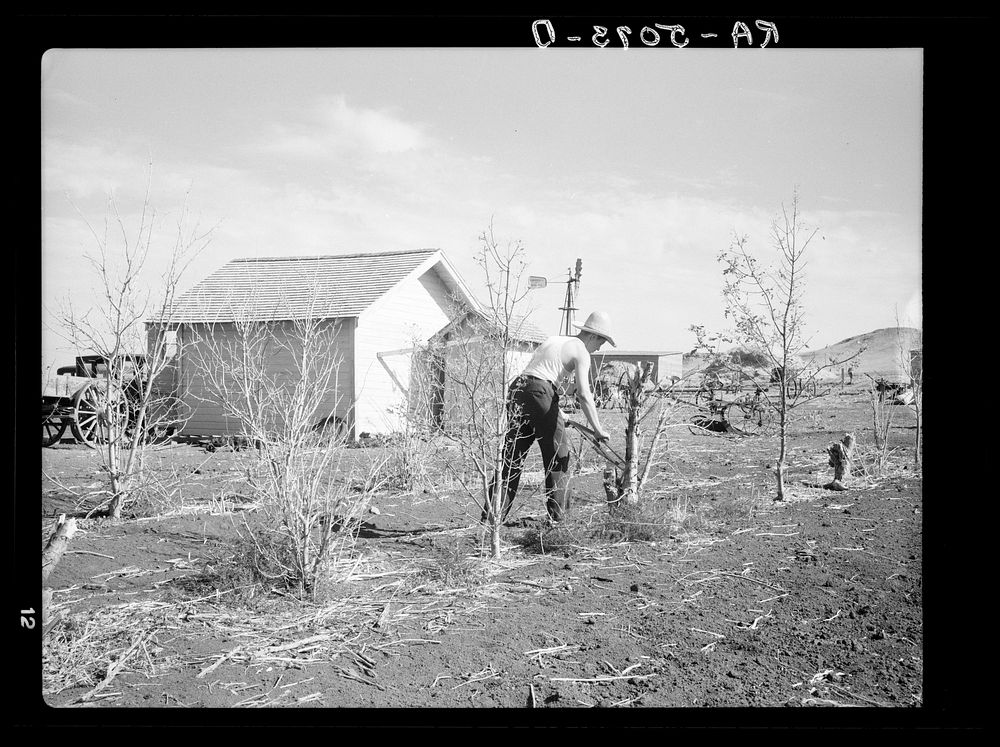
[578, 370]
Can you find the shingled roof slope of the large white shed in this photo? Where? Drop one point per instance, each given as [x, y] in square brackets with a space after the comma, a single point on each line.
[272, 288]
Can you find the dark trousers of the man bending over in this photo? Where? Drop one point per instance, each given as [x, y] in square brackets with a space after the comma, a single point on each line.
[533, 414]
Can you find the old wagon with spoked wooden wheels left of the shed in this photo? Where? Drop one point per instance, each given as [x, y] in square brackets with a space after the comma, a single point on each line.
[91, 396]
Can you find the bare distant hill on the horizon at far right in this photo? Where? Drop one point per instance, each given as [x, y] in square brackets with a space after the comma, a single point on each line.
[886, 354]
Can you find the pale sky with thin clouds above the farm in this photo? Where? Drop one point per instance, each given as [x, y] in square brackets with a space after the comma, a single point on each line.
[642, 163]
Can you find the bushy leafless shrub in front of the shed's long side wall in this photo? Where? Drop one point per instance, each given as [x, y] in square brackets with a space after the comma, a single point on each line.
[277, 385]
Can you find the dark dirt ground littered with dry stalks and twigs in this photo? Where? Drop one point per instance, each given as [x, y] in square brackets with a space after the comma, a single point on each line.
[721, 599]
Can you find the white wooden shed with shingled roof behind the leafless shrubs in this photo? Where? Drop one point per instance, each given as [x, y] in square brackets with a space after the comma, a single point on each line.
[379, 304]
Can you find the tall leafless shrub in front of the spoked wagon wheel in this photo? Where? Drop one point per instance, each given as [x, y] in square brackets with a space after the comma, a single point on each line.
[132, 404]
